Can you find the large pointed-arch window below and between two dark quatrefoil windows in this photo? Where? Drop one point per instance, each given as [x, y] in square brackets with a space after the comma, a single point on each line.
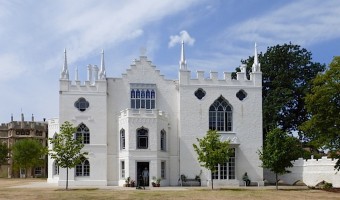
[220, 115]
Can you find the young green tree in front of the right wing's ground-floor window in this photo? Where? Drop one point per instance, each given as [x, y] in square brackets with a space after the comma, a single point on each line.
[211, 151]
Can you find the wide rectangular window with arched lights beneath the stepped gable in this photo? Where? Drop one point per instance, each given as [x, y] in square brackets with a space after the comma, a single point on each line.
[143, 96]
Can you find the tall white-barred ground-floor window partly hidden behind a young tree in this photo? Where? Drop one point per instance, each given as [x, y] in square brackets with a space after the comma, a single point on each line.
[225, 170]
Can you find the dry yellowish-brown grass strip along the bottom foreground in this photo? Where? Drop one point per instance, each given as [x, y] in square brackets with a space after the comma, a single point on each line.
[7, 192]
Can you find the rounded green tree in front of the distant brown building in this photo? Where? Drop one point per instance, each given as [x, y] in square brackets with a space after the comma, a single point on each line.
[28, 153]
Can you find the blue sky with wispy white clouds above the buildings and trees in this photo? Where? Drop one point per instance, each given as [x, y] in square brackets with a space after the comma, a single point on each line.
[218, 34]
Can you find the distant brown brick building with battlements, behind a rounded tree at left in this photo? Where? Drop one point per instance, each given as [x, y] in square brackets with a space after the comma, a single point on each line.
[16, 130]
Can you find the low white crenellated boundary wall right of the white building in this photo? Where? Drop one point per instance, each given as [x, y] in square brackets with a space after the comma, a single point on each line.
[311, 172]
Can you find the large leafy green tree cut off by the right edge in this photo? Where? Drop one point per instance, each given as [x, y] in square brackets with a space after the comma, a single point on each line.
[323, 103]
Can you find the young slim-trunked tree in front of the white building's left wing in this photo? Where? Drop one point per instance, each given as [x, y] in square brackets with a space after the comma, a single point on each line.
[66, 148]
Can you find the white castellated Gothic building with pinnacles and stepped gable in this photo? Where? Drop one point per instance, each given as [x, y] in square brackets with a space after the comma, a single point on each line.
[143, 120]
